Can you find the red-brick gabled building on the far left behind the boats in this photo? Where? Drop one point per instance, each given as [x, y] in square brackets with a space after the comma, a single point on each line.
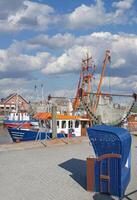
[14, 102]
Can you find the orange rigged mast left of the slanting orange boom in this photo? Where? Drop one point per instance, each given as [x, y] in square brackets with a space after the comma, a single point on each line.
[84, 84]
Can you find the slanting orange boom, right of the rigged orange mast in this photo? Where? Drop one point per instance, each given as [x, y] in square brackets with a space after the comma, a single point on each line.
[98, 93]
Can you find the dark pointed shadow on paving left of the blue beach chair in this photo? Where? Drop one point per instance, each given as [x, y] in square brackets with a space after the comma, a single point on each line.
[77, 168]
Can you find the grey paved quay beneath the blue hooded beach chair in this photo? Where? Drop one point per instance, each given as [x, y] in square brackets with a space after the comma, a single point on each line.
[56, 172]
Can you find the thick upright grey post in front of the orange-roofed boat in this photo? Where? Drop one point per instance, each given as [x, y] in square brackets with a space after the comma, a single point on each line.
[54, 121]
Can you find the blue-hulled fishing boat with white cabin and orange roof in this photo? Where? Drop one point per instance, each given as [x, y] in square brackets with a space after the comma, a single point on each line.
[67, 126]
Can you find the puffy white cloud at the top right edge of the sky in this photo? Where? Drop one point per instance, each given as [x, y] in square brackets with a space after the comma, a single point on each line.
[96, 15]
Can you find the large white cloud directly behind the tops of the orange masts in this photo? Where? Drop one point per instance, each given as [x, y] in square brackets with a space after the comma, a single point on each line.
[123, 50]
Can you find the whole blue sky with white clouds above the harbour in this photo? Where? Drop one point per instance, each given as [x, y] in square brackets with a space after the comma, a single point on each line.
[42, 44]
